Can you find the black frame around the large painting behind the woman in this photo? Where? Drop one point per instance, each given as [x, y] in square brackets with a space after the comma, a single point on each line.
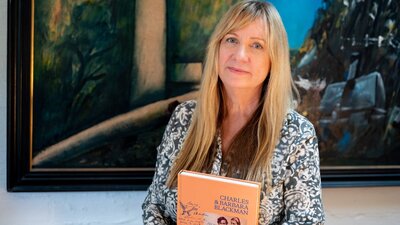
[21, 177]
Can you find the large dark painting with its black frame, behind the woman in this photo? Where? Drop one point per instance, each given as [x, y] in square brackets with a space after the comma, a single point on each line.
[91, 85]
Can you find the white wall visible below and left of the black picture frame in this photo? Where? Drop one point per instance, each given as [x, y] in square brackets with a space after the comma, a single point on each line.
[352, 206]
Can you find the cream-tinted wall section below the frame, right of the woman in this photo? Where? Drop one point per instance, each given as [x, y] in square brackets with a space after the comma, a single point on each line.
[362, 206]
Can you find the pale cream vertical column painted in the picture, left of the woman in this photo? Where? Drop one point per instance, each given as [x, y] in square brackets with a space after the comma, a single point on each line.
[150, 42]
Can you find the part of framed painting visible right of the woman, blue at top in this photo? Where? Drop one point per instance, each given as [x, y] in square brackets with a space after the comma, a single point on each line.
[345, 64]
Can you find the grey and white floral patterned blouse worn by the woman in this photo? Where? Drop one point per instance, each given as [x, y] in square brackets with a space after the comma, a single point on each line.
[295, 196]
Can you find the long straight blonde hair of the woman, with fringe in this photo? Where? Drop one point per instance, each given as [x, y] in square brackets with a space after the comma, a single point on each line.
[197, 149]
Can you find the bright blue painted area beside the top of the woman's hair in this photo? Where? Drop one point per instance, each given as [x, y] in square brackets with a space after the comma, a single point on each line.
[298, 17]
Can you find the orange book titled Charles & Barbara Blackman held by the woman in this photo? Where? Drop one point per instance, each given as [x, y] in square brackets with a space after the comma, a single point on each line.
[205, 199]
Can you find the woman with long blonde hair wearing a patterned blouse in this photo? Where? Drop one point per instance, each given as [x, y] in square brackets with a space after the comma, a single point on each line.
[243, 125]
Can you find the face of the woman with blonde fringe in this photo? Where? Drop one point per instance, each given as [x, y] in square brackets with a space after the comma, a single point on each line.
[243, 60]
